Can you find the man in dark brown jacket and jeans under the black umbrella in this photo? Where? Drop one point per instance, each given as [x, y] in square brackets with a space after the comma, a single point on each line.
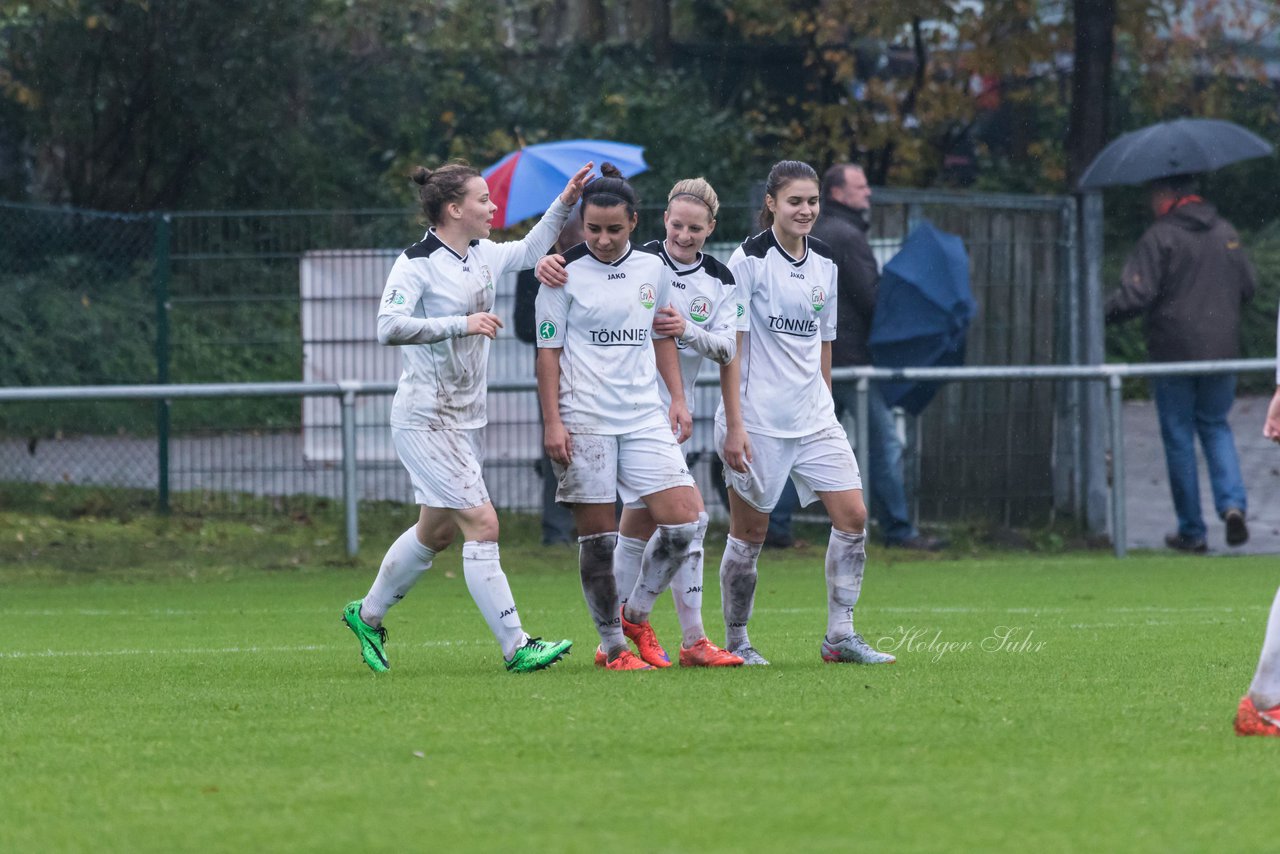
[1188, 277]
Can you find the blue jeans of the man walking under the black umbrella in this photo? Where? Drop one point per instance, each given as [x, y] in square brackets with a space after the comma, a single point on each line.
[1191, 407]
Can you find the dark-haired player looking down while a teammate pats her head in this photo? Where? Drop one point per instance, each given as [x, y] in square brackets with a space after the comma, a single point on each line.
[605, 426]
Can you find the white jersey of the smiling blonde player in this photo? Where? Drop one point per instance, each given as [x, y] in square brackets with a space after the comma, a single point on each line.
[705, 295]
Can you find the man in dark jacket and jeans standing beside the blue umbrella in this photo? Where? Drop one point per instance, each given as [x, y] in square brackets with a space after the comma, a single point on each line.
[843, 226]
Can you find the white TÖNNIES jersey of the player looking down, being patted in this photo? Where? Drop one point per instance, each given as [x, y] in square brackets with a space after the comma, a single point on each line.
[602, 321]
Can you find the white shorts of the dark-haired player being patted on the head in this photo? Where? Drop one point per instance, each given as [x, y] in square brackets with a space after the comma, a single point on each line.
[632, 465]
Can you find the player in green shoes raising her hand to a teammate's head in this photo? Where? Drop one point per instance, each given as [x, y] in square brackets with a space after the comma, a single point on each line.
[437, 307]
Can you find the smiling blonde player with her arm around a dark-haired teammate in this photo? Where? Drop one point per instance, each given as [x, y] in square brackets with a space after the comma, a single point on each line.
[703, 321]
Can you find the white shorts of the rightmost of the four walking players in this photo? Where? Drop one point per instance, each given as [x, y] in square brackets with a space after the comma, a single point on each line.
[817, 463]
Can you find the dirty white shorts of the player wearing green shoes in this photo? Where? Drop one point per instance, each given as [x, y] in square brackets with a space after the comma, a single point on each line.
[445, 467]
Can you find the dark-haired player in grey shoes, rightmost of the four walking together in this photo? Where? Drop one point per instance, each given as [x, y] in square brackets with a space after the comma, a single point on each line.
[778, 418]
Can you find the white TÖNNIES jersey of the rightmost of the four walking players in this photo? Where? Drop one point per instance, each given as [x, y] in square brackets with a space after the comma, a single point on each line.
[788, 310]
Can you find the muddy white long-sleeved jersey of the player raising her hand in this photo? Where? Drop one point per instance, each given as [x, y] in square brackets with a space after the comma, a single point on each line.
[429, 294]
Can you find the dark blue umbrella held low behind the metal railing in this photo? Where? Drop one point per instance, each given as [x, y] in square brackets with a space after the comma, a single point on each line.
[922, 312]
